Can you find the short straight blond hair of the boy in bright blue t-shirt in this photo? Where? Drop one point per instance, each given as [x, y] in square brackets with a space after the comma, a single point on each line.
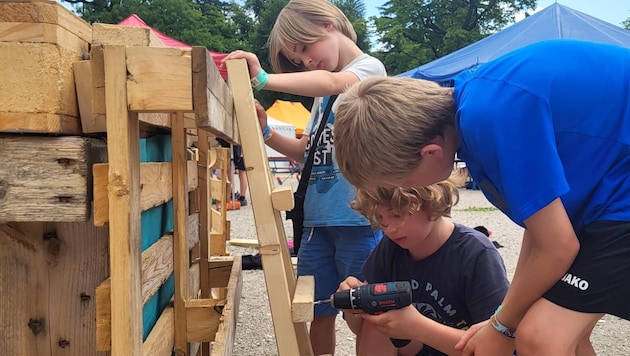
[382, 124]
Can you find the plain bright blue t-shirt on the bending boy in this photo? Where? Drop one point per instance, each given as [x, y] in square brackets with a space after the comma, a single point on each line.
[550, 120]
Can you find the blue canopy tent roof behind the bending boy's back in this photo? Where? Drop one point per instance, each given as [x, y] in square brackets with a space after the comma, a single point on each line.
[555, 21]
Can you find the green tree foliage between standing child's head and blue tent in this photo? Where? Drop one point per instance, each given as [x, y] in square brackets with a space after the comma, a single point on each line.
[413, 32]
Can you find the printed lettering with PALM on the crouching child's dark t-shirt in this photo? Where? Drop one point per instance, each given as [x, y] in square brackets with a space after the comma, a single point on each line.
[436, 306]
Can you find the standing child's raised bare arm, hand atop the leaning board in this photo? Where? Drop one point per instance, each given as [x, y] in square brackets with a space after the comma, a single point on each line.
[312, 83]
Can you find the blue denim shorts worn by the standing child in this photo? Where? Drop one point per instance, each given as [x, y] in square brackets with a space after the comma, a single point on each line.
[331, 254]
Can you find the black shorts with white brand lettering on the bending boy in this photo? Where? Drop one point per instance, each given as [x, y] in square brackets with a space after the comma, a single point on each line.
[598, 281]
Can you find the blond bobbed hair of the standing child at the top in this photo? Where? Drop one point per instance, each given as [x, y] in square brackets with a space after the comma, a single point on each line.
[300, 22]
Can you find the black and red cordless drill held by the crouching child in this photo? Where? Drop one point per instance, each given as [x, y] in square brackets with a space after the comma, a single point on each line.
[372, 298]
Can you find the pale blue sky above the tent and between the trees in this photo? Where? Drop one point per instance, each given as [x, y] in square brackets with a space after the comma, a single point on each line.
[613, 11]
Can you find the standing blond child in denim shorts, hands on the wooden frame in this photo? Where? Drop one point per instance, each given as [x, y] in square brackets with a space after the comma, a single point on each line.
[313, 50]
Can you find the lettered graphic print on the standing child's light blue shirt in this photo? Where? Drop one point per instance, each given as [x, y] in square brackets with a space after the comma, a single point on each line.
[324, 173]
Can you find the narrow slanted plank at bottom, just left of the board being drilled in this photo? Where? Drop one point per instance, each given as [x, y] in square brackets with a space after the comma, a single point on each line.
[224, 339]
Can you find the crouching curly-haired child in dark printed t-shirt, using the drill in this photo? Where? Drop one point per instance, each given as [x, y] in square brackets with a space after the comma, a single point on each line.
[456, 273]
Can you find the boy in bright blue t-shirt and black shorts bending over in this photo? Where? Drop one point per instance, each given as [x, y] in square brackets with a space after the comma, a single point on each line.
[545, 133]
